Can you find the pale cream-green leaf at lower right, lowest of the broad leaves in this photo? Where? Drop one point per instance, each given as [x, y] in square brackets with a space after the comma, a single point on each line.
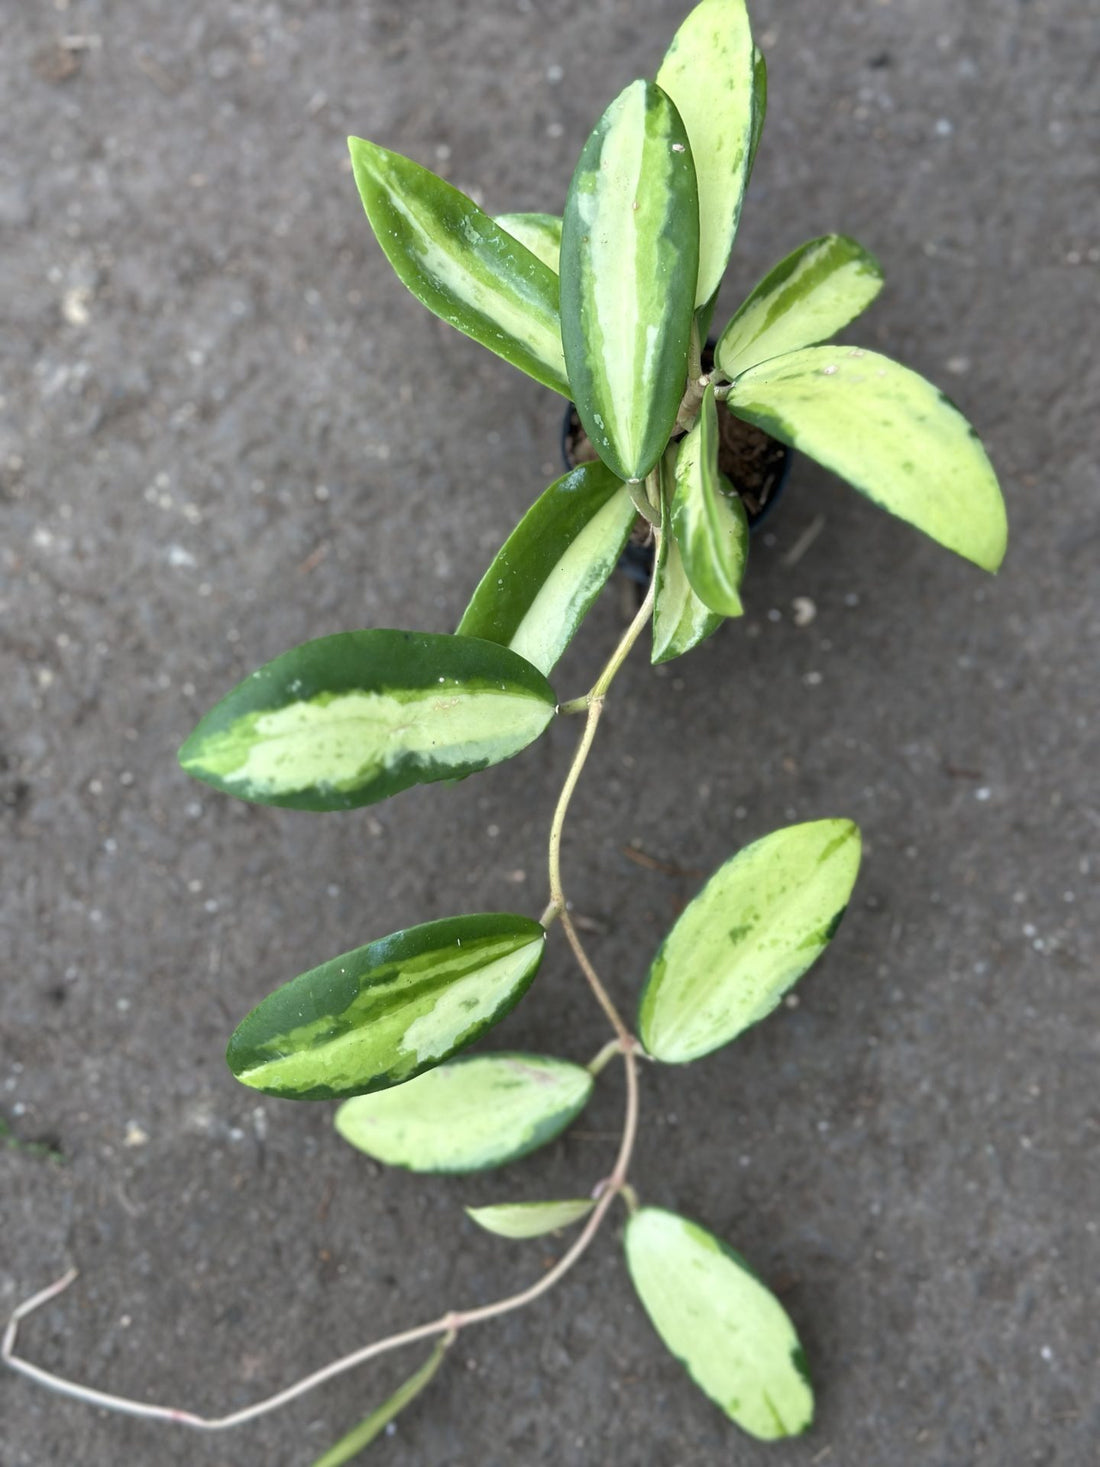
[728, 1331]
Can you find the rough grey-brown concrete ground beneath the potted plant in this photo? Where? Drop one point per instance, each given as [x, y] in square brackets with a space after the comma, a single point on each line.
[227, 429]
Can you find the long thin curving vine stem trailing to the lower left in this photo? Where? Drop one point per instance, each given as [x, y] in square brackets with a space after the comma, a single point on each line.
[452, 1323]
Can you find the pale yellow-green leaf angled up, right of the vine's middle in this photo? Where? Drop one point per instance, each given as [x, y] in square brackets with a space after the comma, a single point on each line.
[758, 925]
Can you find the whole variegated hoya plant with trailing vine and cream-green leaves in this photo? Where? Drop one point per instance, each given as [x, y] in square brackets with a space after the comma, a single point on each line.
[608, 306]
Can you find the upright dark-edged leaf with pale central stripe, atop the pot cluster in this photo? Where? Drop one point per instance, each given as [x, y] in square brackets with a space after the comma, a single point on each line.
[630, 257]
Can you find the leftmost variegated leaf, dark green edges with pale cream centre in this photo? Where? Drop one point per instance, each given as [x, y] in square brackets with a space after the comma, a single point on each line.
[350, 720]
